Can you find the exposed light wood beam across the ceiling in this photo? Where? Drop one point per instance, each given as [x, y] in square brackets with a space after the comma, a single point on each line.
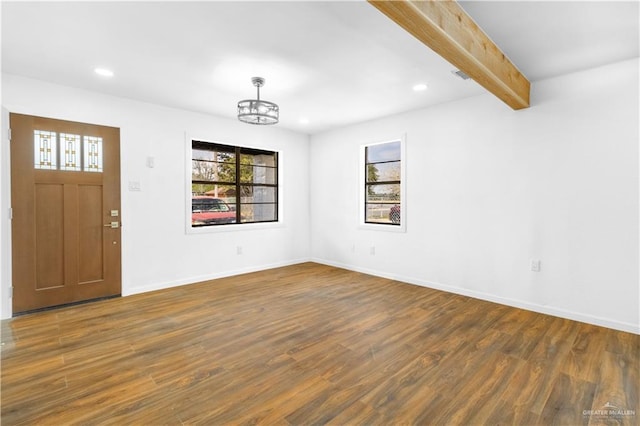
[447, 29]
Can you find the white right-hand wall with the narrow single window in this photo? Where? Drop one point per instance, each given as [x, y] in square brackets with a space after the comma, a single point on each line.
[489, 188]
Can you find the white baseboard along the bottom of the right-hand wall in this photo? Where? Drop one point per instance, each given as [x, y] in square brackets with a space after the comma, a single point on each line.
[548, 310]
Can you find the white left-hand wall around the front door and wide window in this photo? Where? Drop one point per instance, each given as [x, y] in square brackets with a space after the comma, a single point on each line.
[156, 250]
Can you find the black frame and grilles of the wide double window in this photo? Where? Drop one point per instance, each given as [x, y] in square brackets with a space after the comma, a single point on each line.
[237, 183]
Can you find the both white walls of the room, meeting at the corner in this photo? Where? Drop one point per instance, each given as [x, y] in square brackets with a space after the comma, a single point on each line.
[488, 189]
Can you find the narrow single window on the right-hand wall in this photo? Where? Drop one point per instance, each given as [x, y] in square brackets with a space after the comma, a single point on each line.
[383, 183]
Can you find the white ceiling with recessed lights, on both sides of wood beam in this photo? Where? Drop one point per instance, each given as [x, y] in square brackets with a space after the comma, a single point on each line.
[333, 63]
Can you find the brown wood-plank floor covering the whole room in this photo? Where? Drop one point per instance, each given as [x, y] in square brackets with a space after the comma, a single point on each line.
[312, 344]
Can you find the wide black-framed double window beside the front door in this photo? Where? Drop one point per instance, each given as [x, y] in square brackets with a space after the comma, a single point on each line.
[231, 185]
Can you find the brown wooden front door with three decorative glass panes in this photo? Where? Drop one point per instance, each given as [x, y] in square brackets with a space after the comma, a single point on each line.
[65, 196]
